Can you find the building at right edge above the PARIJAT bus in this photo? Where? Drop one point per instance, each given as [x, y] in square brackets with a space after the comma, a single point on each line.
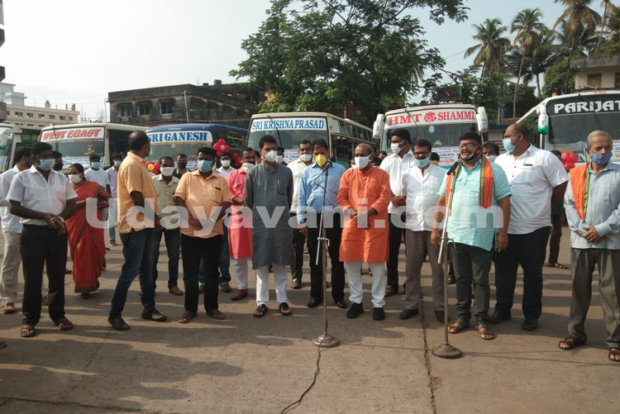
[599, 72]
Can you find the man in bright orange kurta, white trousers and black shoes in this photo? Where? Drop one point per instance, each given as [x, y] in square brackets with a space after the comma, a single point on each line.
[365, 194]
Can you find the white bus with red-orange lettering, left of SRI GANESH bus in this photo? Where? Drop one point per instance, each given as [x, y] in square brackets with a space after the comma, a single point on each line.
[78, 142]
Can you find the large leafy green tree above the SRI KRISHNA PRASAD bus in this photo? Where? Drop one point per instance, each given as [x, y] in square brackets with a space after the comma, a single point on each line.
[326, 54]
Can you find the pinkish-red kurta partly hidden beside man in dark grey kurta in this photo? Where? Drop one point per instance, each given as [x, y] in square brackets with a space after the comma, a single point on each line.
[239, 236]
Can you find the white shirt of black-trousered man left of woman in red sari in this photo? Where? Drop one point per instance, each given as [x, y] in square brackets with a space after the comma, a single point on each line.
[34, 192]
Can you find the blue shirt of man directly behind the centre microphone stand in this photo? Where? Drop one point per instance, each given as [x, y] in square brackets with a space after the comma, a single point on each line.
[311, 189]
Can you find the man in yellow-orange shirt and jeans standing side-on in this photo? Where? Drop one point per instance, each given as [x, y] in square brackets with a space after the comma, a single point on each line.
[137, 203]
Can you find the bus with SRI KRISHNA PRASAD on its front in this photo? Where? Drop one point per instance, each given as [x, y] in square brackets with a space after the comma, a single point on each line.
[290, 128]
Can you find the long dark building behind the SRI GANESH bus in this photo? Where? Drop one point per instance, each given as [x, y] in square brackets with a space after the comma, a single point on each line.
[229, 104]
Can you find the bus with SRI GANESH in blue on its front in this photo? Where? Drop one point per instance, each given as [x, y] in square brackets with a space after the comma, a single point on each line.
[172, 140]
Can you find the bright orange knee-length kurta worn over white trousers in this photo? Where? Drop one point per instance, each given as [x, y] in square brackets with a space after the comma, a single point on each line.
[365, 190]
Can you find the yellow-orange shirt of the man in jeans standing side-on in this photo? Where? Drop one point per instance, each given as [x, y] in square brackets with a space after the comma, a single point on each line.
[134, 176]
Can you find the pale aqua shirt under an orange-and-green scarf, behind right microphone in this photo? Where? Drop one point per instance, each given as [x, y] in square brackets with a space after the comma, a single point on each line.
[469, 223]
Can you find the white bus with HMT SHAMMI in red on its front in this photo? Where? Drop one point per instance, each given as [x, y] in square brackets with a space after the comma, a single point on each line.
[441, 125]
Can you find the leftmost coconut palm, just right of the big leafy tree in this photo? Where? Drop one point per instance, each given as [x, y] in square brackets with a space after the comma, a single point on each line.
[490, 51]
